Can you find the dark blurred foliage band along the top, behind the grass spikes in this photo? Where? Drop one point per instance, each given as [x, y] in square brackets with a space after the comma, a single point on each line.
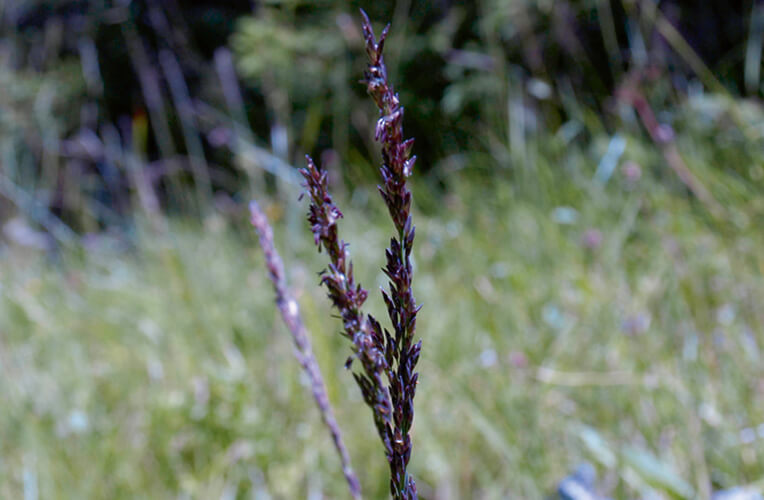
[479, 80]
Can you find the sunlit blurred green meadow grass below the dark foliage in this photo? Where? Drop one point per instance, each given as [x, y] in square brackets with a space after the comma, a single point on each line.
[165, 370]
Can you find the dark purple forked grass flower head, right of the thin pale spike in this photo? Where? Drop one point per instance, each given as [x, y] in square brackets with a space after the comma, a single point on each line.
[384, 356]
